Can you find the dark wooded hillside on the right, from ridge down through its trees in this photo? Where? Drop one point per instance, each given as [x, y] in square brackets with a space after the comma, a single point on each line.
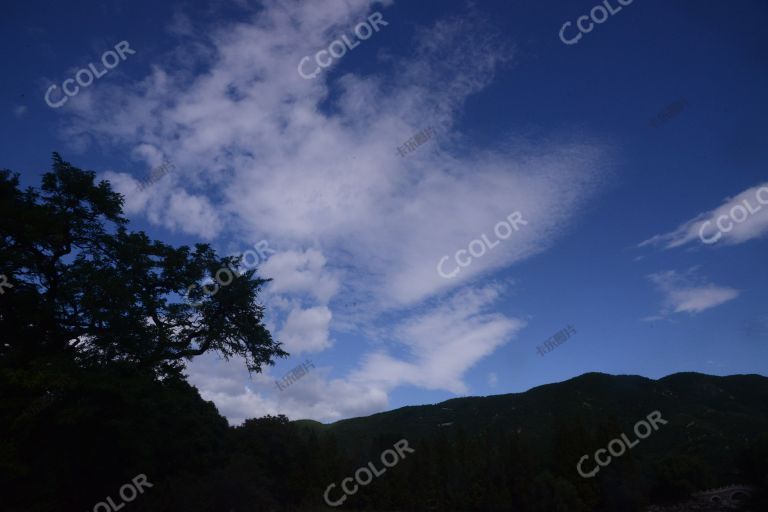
[493, 449]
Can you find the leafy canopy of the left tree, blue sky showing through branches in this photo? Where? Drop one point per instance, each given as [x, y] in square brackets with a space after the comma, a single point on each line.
[87, 289]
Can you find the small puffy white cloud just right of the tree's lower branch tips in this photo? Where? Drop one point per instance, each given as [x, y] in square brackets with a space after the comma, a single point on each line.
[306, 330]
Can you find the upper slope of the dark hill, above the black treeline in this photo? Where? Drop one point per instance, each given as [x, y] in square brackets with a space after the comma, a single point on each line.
[700, 409]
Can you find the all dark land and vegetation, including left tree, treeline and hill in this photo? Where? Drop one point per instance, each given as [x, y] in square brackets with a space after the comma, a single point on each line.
[95, 332]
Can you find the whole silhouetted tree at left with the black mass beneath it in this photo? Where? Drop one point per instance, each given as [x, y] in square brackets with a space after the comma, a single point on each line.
[94, 333]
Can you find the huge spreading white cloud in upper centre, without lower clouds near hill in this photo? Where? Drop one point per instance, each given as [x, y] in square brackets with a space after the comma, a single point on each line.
[284, 168]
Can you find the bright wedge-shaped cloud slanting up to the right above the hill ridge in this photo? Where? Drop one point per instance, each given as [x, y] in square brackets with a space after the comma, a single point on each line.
[442, 344]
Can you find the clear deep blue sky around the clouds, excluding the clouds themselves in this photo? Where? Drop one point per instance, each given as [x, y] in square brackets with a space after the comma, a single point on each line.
[608, 86]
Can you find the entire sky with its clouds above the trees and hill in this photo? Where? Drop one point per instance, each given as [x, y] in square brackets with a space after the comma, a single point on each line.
[522, 123]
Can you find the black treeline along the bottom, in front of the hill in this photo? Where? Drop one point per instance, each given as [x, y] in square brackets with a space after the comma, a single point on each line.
[71, 437]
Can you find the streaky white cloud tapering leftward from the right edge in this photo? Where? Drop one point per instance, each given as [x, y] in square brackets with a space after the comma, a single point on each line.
[738, 220]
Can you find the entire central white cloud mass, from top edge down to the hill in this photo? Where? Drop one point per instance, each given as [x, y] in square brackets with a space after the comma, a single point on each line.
[312, 166]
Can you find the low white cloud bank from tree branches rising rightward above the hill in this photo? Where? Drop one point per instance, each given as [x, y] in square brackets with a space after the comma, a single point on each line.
[441, 345]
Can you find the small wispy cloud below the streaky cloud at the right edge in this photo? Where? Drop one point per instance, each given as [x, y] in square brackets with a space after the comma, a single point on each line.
[686, 293]
